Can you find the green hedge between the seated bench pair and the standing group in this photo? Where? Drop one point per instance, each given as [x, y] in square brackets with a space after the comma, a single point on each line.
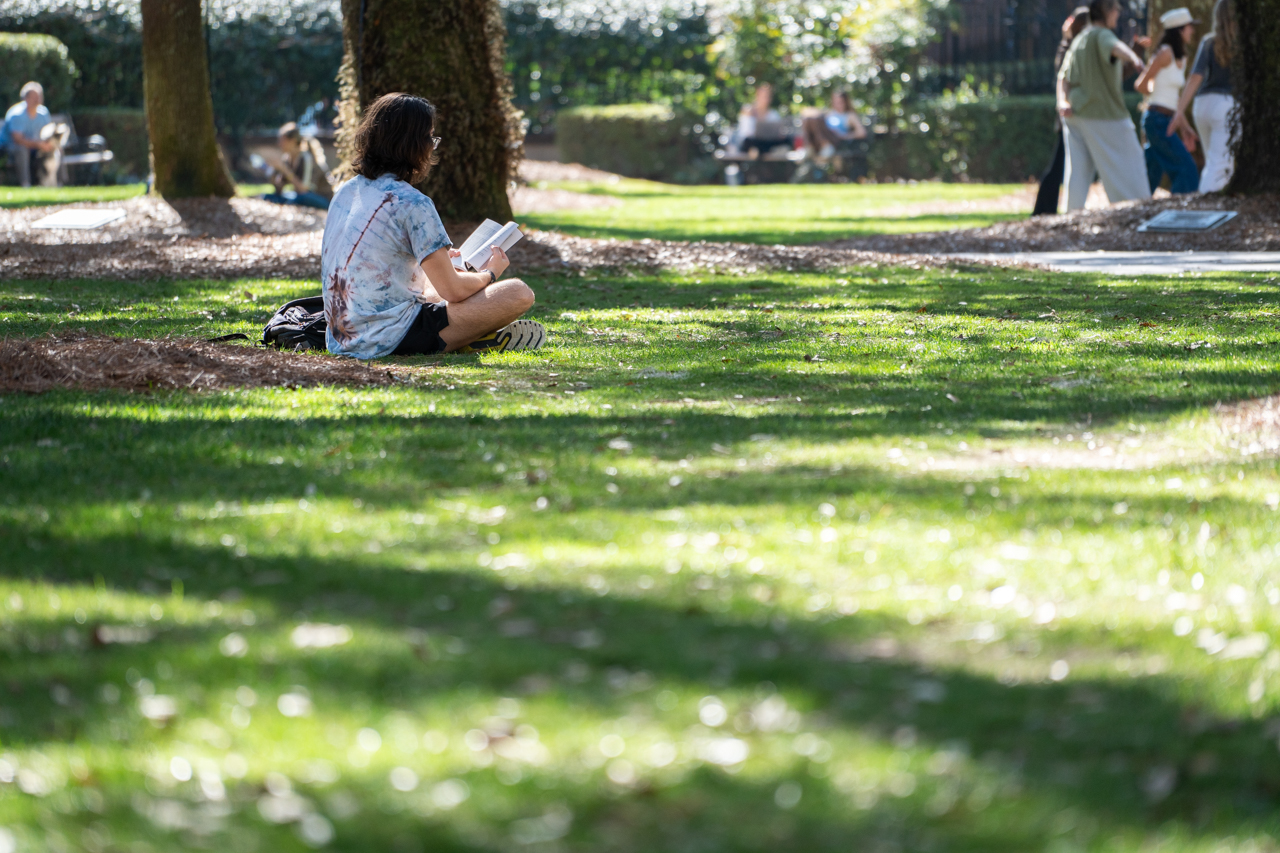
[994, 140]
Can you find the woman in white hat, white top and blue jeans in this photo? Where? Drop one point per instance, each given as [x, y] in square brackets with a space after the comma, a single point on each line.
[1163, 81]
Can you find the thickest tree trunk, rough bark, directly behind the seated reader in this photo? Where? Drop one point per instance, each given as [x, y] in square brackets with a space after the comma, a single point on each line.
[451, 53]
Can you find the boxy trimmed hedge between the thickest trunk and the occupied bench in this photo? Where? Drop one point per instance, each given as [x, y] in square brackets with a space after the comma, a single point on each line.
[634, 140]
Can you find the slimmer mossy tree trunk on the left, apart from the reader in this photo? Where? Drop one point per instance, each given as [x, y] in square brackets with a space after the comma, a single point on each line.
[185, 153]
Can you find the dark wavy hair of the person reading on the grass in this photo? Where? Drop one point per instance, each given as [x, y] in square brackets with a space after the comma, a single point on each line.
[396, 136]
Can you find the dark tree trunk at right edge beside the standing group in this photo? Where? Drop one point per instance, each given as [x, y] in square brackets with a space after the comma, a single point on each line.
[1256, 75]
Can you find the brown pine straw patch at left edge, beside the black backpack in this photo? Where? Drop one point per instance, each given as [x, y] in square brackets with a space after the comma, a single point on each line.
[97, 362]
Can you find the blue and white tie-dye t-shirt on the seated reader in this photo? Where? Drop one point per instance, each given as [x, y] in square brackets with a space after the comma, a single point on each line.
[376, 239]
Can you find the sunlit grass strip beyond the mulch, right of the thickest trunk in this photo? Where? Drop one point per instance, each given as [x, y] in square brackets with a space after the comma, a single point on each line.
[769, 215]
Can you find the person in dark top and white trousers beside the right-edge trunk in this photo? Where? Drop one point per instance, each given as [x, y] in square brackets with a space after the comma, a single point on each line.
[1212, 88]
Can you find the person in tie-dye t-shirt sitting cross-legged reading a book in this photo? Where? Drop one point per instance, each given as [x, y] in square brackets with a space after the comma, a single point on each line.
[390, 284]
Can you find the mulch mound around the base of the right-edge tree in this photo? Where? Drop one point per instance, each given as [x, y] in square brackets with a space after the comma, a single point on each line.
[1114, 229]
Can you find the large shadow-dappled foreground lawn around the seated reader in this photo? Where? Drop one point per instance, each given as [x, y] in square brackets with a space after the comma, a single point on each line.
[747, 563]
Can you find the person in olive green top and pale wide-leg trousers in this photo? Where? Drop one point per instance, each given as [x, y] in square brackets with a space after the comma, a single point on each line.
[1099, 133]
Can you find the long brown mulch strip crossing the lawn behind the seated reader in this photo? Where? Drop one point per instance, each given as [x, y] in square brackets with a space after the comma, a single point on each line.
[254, 239]
